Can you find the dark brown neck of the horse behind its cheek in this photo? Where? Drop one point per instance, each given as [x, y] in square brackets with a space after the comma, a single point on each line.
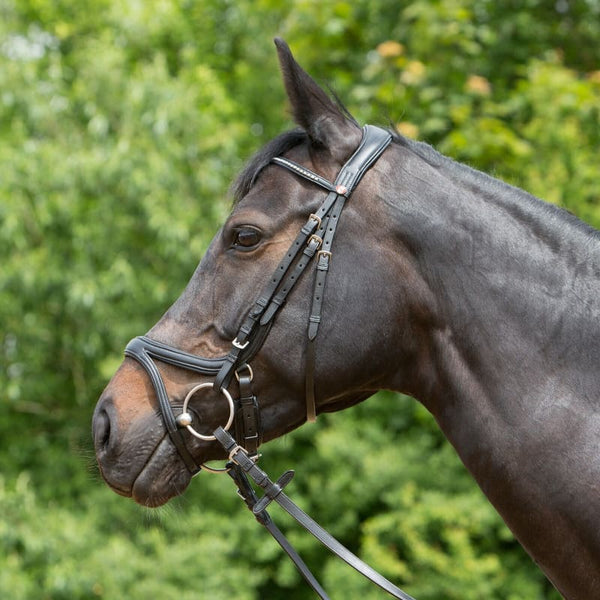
[509, 368]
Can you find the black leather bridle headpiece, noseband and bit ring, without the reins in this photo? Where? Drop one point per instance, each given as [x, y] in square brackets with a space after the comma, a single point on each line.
[314, 239]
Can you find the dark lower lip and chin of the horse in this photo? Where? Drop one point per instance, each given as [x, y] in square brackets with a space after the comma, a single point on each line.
[163, 477]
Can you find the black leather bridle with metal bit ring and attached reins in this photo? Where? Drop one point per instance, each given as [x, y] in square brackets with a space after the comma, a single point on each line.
[314, 239]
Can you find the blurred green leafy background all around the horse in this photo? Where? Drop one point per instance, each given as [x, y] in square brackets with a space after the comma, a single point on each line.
[121, 126]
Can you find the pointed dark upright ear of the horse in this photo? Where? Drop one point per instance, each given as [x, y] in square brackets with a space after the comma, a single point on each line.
[321, 117]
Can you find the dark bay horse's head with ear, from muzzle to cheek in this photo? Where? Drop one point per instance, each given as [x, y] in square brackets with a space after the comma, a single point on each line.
[357, 349]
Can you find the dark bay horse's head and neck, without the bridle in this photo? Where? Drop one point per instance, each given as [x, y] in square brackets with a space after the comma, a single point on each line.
[470, 295]
